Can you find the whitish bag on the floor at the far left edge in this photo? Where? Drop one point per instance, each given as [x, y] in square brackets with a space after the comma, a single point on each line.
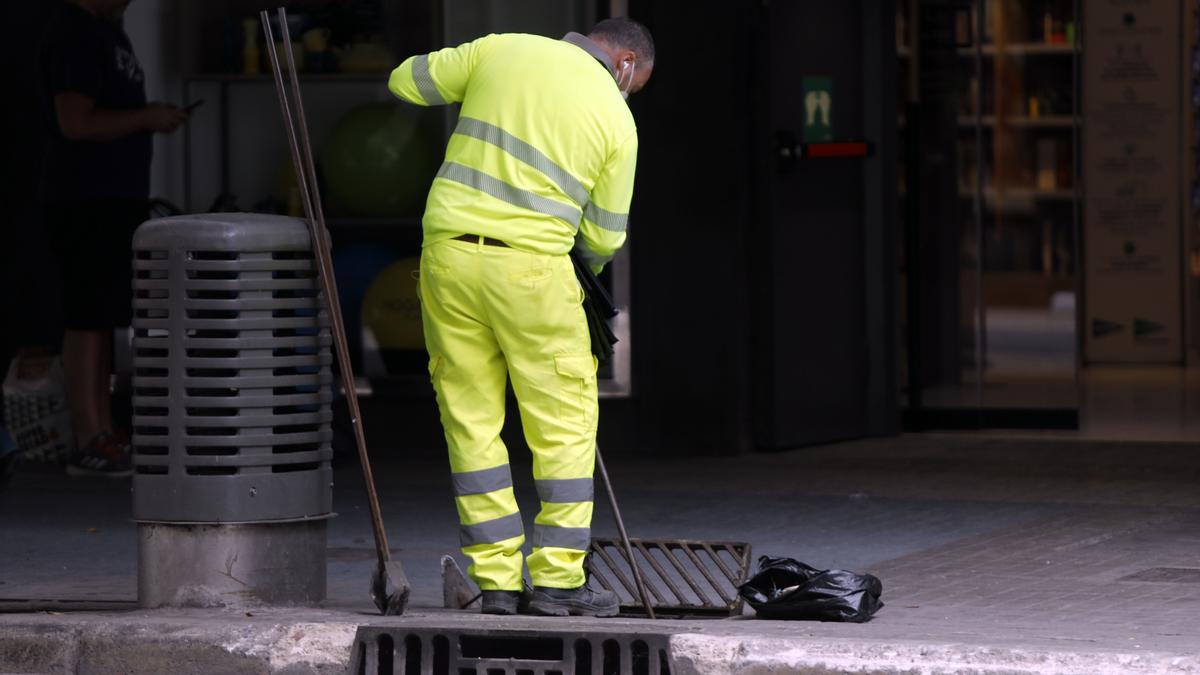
[35, 408]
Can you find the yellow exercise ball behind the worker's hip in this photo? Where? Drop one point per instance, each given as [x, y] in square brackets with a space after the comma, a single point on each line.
[392, 309]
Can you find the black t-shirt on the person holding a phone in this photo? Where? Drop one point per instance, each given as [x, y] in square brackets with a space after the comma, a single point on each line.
[94, 57]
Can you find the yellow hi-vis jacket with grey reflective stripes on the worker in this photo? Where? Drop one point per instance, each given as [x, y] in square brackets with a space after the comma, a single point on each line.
[544, 153]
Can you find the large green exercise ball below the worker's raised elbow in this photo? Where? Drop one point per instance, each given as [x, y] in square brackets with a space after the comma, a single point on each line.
[380, 160]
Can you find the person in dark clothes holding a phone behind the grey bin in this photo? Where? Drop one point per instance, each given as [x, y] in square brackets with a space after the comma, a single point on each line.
[97, 188]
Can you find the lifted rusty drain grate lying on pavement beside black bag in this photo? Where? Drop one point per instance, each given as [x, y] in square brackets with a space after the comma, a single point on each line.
[683, 578]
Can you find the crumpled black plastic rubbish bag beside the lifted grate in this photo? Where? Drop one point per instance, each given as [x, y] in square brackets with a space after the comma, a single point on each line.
[788, 589]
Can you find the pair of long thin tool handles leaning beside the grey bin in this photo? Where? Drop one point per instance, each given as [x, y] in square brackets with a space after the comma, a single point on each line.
[310, 195]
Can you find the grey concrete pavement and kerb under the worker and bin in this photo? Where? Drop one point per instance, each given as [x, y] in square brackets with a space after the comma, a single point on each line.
[997, 555]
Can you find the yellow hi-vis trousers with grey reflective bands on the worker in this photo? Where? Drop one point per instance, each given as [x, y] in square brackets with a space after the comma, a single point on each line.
[490, 314]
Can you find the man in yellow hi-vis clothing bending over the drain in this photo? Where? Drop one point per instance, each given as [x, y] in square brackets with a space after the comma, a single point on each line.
[542, 162]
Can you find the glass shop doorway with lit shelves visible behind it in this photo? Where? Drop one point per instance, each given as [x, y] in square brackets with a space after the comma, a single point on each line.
[989, 120]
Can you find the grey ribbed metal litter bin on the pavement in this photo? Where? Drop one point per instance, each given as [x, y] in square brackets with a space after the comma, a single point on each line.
[232, 485]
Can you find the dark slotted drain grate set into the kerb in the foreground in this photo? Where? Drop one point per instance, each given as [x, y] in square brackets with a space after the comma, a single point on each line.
[399, 652]
